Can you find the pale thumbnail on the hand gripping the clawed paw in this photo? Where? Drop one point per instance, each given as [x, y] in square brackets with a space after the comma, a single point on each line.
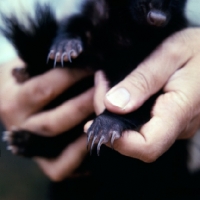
[119, 97]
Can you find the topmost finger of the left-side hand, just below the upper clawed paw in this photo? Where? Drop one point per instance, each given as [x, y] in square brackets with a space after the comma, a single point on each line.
[25, 99]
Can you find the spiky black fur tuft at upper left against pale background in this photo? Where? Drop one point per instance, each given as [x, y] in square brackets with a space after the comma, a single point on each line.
[33, 45]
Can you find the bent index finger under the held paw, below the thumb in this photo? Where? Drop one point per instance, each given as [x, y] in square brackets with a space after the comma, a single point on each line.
[156, 136]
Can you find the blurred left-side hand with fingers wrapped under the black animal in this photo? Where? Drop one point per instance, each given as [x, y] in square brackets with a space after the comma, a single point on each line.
[21, 105]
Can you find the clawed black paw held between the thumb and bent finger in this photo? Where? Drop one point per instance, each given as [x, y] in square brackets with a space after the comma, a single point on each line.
[105, 128]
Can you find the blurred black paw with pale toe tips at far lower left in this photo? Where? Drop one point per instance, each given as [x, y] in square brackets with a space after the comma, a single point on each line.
[17, 141]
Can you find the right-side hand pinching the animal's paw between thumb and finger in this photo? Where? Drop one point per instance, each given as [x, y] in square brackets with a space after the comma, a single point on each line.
[173, 66]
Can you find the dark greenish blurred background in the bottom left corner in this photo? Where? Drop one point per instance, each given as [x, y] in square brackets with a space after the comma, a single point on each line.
[20, 178]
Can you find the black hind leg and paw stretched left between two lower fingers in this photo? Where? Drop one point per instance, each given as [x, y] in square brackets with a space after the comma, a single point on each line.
[29, 144]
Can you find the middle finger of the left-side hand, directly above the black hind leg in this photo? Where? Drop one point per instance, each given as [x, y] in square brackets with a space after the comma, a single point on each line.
[63, 117]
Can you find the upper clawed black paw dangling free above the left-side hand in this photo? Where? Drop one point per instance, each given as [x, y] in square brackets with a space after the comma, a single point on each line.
[63, 50]
